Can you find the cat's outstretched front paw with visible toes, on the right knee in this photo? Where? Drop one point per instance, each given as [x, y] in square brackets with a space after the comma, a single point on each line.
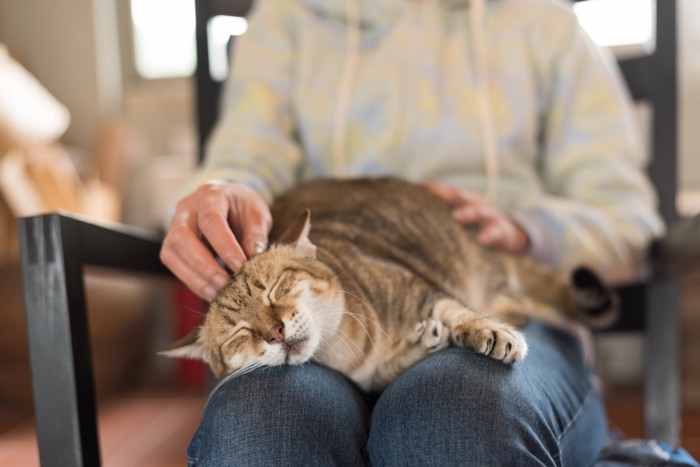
[493, 339]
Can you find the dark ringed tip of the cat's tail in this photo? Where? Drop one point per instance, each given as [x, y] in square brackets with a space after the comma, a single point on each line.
[596, 304]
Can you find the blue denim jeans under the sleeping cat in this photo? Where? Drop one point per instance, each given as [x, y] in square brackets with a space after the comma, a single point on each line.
[452, 408]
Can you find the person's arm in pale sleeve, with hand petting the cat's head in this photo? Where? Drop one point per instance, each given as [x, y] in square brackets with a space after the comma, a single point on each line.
[251, 156]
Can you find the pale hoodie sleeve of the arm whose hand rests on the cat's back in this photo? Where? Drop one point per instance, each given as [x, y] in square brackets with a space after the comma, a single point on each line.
[597, 207]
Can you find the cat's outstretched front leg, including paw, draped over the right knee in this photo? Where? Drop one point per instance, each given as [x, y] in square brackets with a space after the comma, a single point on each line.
[481, 332]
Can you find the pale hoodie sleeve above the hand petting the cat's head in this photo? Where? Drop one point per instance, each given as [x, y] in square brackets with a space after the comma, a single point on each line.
[253, 141]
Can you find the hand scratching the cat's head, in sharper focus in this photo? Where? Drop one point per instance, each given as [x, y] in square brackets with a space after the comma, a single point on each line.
[228, 220]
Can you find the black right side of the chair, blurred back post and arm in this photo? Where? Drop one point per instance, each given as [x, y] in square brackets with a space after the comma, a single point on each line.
[652, 306]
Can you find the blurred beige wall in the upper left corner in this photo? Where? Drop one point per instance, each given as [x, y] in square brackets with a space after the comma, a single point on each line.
[71, 47]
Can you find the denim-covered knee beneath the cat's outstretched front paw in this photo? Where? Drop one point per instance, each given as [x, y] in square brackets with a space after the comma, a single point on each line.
[459, 408]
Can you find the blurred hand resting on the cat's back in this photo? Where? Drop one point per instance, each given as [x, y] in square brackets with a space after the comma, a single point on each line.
[494, 229]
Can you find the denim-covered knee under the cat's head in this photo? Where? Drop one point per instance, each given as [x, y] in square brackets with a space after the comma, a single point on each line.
[290, 413]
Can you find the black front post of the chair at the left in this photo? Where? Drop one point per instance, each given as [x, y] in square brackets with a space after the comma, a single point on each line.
[64, 397]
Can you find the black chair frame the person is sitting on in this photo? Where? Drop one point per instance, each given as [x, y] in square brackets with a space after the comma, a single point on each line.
[56, 248]
